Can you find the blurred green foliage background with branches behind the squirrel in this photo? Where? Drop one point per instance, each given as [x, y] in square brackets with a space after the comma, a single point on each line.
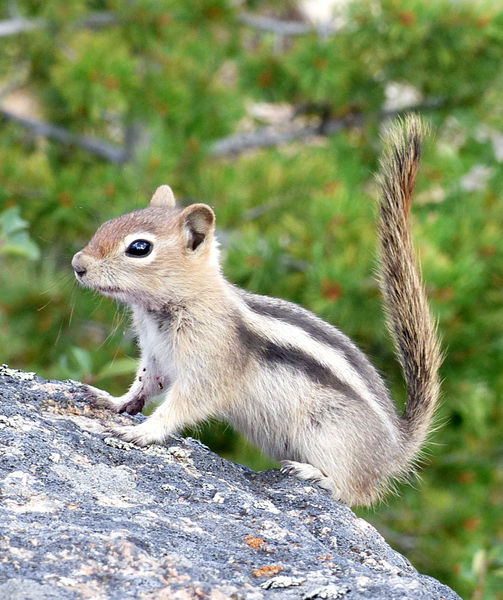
[103, 100]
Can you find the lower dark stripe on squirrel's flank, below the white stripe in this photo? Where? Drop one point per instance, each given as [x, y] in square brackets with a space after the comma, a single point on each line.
[268, 351]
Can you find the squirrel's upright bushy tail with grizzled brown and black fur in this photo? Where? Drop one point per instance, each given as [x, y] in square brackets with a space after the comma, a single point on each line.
[408, 316]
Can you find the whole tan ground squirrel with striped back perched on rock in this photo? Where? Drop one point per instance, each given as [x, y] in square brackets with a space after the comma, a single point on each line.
[293, 384]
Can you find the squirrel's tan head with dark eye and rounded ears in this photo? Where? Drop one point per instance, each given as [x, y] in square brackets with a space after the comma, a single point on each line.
[160, 254]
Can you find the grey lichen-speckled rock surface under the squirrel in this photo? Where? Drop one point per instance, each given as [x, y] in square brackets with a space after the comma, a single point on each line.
[84, 515]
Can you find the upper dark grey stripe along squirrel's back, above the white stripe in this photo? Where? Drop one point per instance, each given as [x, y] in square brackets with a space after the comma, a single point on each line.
[320, 331]
